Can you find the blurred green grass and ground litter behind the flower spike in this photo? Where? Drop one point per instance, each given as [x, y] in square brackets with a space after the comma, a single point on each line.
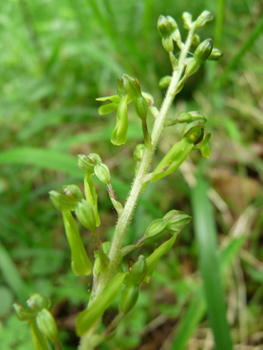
[56, 57]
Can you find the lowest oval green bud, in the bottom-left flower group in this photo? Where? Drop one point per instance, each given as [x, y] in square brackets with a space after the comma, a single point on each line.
[47, 325]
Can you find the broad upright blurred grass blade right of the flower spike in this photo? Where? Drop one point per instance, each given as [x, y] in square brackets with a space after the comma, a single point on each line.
[205, 231]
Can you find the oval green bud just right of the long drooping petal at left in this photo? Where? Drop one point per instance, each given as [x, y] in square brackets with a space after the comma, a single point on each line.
[85, 214]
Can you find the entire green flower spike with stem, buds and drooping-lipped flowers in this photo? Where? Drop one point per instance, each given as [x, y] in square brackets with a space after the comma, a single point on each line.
[110, 277]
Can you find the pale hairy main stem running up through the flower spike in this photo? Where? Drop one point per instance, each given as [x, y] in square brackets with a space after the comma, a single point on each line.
[123, 223]
